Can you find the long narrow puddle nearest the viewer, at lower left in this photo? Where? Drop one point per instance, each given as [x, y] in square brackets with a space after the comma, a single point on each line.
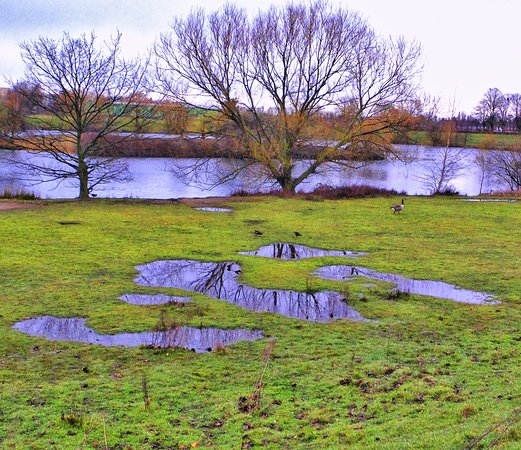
[74, 330]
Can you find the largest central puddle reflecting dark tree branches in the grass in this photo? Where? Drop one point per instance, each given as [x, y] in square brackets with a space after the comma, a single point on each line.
[220, 281]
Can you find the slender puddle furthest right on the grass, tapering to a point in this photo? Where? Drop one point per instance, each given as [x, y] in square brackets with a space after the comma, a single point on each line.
[422, 287]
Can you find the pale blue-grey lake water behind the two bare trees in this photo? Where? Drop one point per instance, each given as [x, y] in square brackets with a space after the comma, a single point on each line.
[152, 177]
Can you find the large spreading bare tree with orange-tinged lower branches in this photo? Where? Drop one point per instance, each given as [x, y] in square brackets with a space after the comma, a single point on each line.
[274, 77]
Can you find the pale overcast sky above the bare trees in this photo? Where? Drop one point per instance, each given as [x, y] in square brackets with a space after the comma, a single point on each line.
[468, 46]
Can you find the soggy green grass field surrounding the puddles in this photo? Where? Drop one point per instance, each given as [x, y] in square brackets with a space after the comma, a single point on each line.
[427, 373]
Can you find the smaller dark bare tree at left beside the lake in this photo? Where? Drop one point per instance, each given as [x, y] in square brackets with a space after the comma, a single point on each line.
[85, 94]
